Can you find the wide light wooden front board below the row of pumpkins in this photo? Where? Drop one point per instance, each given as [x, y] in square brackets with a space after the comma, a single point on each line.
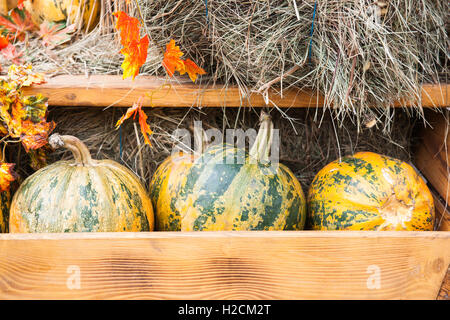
[224, 265]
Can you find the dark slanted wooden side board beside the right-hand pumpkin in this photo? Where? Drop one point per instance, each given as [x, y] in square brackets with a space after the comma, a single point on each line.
[432, 156]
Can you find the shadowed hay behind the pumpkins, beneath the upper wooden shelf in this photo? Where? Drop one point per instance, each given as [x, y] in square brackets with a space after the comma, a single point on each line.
[305, 147]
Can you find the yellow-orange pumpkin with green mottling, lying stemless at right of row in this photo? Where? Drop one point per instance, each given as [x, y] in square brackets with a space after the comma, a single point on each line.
[368, 191]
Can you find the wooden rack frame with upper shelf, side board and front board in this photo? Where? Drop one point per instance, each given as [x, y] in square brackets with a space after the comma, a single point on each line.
[232, 265]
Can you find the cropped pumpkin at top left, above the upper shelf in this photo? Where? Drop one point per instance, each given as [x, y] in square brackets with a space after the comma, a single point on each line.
[84, 14]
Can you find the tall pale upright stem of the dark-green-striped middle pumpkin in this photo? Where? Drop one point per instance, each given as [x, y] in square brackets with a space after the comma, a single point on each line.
[261, 148]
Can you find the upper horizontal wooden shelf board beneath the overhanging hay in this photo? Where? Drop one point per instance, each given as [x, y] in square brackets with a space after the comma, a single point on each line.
[106, 90]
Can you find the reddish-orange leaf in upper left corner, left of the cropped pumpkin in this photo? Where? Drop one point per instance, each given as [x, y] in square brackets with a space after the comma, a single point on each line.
[17, 23]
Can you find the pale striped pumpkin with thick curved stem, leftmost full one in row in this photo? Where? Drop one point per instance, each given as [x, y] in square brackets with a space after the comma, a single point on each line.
[83, 195]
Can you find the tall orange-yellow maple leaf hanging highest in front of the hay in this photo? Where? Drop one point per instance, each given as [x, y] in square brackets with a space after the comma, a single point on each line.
[135, 48]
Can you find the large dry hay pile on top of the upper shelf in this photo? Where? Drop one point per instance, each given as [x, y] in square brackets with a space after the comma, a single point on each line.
[357, 53]
